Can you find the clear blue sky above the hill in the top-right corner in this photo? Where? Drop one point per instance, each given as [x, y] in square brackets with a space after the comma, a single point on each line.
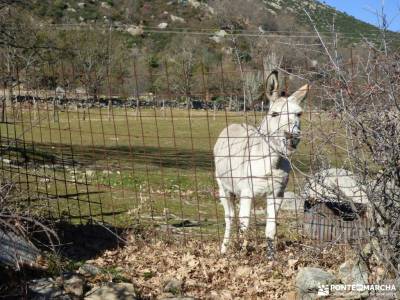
[365, 10]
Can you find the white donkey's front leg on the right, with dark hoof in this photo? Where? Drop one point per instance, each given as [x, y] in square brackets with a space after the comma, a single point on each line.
[273, 205]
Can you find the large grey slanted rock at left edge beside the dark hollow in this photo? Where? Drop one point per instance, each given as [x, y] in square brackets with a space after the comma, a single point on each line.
[16, 250]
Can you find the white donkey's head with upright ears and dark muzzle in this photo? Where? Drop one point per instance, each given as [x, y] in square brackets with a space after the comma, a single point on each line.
[282, 123]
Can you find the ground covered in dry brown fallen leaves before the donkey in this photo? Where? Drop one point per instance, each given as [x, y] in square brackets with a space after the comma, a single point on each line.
[205, 274]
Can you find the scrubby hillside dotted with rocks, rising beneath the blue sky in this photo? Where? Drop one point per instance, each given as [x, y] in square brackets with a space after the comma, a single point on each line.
[240, 34]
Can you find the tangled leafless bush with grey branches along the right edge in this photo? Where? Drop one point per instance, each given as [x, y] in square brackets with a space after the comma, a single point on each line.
[366, 93]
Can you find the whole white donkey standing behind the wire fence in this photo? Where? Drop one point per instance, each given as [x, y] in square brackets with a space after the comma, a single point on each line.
[252, 161]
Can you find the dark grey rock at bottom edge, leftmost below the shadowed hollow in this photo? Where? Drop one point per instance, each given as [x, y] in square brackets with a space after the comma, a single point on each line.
[45, 288]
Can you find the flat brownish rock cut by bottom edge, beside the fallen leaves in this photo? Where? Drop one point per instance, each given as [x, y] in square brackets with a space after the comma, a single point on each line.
[112, 291]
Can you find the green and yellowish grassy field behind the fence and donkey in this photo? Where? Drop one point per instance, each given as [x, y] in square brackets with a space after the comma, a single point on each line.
[155, 167]
